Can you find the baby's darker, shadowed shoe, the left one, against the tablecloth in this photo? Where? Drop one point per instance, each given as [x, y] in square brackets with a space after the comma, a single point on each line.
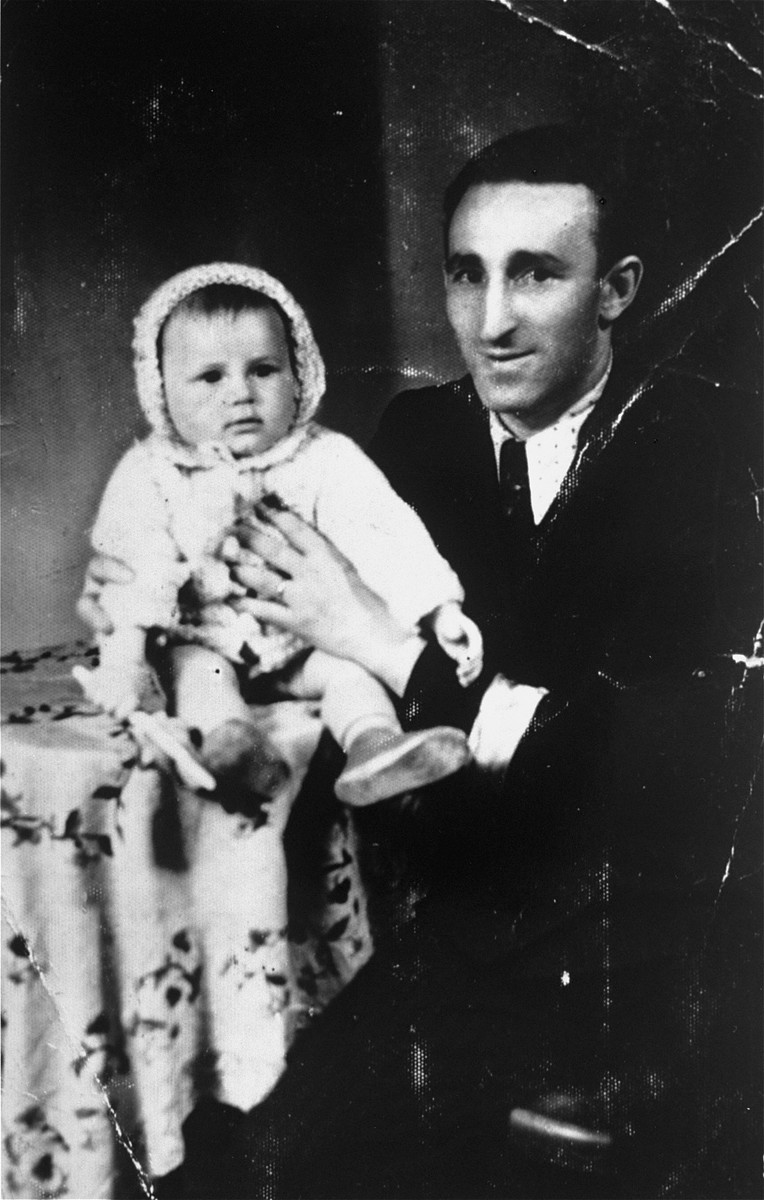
[246, 769]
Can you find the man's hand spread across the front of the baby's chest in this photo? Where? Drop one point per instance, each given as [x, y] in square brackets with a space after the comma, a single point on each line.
[299, 581]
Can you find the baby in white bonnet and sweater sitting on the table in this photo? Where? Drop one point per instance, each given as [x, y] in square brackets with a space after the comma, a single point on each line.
[230, 377]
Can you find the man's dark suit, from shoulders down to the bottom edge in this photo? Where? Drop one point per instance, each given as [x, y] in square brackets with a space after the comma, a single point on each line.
[560, 961]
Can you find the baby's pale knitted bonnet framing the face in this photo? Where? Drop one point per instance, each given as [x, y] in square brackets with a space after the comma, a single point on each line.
[309, 363]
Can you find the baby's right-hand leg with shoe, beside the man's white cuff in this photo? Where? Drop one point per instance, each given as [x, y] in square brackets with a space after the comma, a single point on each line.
[382, 760]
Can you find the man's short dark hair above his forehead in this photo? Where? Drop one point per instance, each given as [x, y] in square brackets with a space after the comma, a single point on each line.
[560, 154]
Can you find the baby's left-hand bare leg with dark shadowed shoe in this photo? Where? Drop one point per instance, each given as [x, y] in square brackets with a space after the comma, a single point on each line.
[208, 699]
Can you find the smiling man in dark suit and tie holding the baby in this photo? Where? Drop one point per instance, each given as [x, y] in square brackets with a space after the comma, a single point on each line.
[563, 1017]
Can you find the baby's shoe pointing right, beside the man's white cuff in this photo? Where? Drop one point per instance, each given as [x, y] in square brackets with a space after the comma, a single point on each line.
[384, 763]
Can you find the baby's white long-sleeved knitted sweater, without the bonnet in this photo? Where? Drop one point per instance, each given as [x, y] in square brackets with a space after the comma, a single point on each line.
[166, 517]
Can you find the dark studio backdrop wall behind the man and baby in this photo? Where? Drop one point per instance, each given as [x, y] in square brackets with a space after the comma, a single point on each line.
[315, 139]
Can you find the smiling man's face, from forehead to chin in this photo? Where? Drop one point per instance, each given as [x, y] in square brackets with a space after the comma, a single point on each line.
[524, 297]
